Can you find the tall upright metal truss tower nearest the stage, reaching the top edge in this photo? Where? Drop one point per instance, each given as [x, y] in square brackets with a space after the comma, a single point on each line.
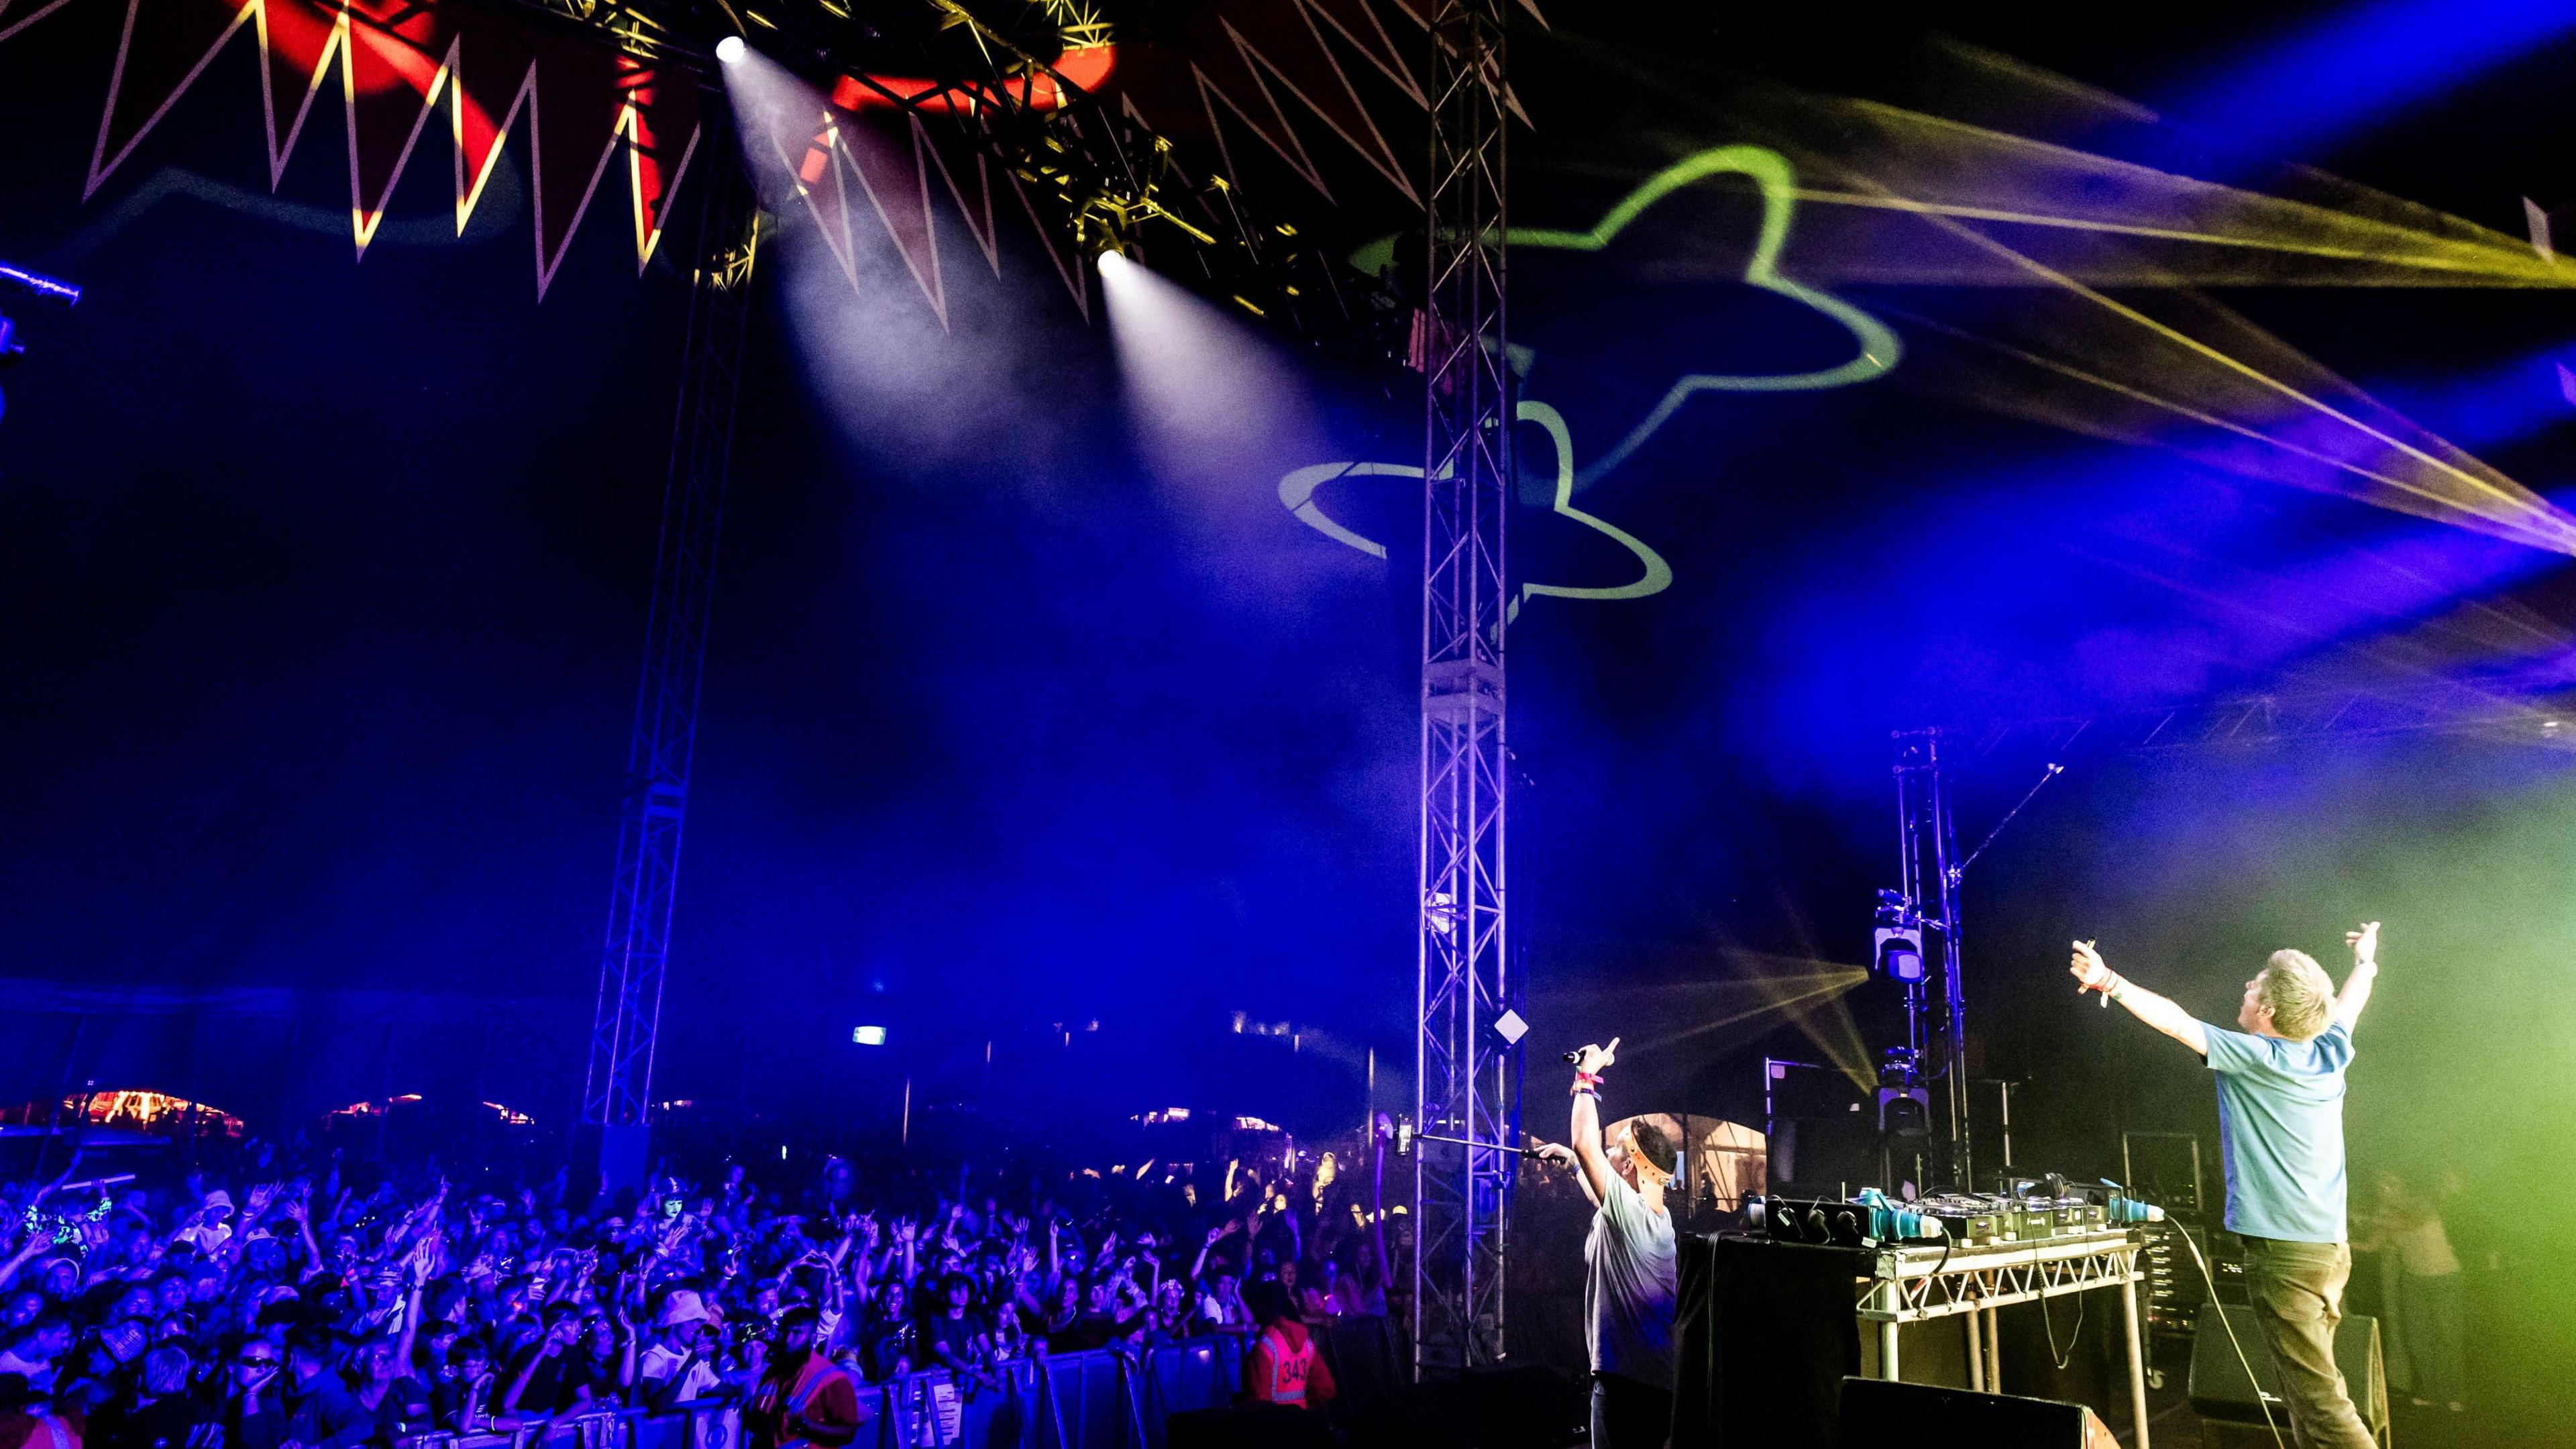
[1464, 1069]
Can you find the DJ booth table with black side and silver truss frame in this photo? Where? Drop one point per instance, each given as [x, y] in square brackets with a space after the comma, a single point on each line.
[1768, 1332]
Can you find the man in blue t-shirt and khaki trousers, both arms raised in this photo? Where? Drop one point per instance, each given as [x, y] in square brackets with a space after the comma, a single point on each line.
[2281, 1131]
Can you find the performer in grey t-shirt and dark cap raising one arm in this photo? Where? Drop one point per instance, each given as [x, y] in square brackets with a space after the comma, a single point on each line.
[1629, 1278]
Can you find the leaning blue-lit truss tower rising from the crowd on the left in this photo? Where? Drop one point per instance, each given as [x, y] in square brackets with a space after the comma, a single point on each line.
[627, 1022]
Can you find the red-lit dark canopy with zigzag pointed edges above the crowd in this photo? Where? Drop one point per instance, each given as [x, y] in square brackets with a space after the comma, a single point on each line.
[1320, 97]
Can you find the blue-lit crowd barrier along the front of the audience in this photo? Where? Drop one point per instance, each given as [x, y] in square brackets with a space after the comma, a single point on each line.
[1068, 1401]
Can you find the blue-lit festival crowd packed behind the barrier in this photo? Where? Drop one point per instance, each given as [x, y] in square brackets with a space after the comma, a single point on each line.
[303, 1298]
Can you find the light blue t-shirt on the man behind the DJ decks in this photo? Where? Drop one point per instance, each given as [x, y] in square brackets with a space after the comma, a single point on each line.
[2281, 1131]
